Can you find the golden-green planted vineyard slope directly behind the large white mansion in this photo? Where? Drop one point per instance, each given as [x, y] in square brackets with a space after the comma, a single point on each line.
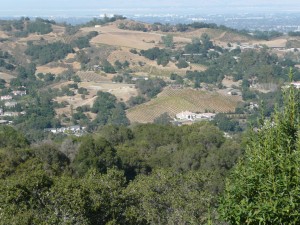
[174, 101]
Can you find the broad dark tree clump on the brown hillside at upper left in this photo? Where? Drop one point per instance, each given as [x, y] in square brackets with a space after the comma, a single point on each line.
[47, 53]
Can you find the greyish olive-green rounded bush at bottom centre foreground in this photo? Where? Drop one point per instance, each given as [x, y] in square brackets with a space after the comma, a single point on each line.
[166, 197]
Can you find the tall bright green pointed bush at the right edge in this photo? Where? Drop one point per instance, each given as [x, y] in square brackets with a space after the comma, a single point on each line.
[264, 187]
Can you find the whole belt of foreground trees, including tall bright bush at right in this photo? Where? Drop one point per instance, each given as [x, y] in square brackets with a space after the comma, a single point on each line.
[155, 174]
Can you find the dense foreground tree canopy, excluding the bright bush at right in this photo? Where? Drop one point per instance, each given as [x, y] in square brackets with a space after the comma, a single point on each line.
[39, 185]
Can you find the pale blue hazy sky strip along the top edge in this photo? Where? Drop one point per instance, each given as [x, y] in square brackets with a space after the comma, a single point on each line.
[39, 7]
